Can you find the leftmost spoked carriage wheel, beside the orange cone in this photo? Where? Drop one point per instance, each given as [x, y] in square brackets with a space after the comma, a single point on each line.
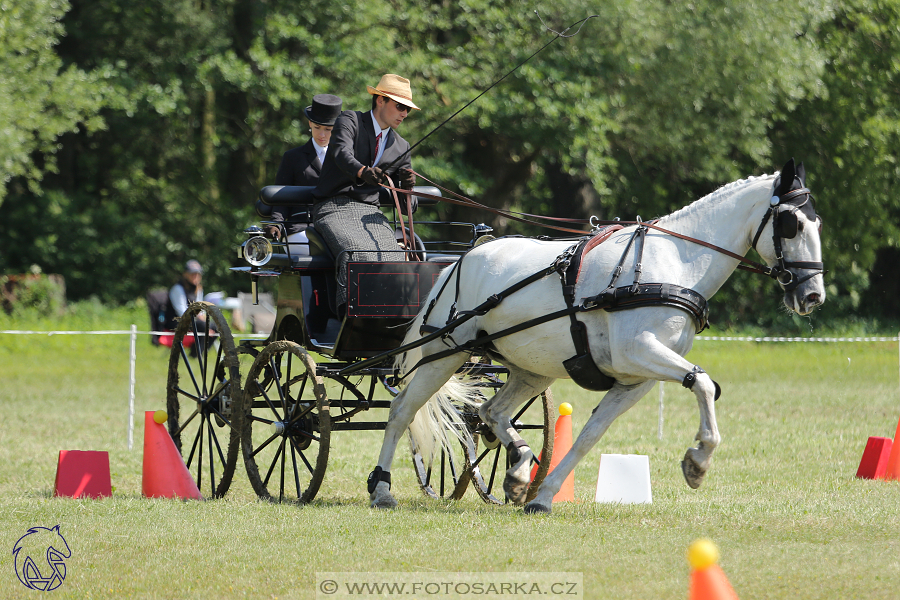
[204, 384]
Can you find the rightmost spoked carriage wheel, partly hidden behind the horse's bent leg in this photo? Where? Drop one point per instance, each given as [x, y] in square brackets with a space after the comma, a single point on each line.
[487, 462]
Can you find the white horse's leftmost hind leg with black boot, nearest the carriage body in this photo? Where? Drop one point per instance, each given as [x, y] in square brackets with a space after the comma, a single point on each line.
[426, 381]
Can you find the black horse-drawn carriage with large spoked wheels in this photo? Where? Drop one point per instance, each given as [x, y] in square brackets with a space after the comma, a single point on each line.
[278, 404]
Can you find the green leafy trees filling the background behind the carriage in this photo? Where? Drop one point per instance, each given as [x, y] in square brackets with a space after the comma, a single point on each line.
[648, 107]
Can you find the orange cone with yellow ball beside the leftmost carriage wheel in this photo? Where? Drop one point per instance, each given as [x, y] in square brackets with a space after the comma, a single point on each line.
[165, 475]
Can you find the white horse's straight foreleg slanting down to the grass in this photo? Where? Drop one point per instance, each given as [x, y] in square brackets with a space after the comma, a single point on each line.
[616, 401]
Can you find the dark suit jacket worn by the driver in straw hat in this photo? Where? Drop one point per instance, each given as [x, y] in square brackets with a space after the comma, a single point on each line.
[352, 146]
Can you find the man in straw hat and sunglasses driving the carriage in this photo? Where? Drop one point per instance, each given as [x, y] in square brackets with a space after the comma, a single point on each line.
[346, 212]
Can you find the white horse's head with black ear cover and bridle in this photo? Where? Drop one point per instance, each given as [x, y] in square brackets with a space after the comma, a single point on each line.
[788, 239]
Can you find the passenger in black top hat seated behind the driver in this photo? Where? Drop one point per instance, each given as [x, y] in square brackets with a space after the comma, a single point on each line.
[303, 166]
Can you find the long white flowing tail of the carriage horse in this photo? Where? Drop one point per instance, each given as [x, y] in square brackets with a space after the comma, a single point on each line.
[439, 423]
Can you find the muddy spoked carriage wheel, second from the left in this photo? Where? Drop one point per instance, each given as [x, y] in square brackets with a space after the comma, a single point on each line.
[286, 424]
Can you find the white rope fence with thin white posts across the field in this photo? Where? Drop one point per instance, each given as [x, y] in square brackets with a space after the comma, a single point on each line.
[133, 332]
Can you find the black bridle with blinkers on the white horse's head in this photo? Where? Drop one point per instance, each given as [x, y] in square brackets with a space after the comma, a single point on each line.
[785, 226]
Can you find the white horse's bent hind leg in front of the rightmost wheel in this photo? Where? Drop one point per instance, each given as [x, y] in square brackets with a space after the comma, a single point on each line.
[520, 387]
